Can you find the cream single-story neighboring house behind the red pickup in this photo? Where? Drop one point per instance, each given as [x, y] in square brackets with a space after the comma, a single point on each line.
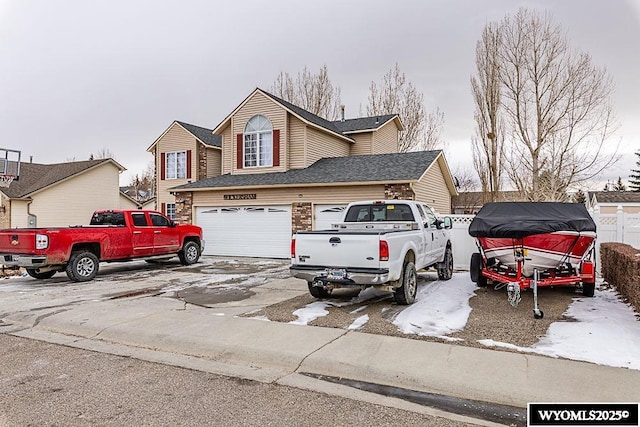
[60, 194]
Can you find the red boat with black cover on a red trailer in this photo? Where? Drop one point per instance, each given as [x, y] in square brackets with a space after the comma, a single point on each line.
[527, 245]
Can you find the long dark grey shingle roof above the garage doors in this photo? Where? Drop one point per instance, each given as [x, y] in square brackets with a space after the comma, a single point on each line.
[365, 168]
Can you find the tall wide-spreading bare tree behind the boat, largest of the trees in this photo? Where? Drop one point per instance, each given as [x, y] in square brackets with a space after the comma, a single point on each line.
[556, 106]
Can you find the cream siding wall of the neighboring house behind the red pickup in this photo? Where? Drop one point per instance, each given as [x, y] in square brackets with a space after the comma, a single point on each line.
[71, 202]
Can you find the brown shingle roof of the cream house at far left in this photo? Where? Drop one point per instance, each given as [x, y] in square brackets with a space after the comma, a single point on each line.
[35, 176]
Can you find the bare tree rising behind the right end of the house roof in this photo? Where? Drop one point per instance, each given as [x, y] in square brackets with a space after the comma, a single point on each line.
[396, 95]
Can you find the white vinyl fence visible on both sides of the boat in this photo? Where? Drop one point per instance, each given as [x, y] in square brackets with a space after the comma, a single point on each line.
[619, 227]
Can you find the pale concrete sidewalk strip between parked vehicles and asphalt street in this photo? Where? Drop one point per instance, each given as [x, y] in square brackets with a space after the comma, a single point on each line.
[216, 340]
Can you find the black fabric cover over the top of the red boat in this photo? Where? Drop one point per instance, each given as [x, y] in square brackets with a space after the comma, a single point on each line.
[520, 219]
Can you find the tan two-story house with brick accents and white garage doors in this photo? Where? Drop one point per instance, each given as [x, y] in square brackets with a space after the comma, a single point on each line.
[271, 168]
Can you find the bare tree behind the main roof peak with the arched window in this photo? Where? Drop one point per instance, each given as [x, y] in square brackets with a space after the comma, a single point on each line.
[313, 92]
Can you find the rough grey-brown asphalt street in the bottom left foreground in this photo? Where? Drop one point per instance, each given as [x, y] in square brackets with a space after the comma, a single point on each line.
[43, 384]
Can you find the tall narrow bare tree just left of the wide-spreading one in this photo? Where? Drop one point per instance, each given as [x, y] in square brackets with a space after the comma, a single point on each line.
[488, 144]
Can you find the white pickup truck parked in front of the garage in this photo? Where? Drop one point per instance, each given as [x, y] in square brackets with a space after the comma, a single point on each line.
[379, 243]
